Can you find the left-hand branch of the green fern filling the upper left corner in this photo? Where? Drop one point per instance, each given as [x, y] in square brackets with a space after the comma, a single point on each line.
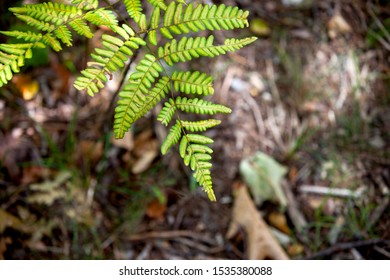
[53, 22]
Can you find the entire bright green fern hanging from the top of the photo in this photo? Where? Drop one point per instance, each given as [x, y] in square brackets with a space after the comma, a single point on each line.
[149, 83]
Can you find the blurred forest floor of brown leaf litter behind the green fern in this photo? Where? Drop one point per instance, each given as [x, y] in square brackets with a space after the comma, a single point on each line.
[312, 93]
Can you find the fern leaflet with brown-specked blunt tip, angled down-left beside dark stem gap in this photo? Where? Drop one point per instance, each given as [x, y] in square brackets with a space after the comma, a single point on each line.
[108, 59]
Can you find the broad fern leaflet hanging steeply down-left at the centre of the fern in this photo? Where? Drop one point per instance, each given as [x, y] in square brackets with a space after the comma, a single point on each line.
[134, 92]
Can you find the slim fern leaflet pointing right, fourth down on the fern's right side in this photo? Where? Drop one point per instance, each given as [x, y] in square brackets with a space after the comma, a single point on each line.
[200, 106]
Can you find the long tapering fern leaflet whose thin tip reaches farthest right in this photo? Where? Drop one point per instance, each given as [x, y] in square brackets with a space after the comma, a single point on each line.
[188, 48]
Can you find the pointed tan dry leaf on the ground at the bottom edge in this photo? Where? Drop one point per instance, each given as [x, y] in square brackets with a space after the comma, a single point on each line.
[261, 242]
